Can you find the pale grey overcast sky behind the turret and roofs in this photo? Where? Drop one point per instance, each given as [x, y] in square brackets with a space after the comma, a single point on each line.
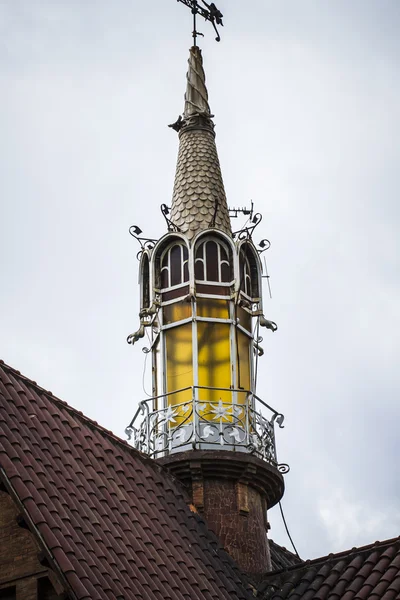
[306, 97]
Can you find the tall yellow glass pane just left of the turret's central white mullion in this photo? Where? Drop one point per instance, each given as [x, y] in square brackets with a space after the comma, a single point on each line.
[179, 364]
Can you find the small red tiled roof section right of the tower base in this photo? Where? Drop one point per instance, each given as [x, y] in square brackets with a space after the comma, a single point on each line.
[371, 572]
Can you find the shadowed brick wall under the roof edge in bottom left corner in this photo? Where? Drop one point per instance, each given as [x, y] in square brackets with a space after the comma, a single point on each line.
[19, 562]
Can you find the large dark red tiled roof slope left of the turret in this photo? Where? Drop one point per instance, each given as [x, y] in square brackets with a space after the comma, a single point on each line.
[115, 524]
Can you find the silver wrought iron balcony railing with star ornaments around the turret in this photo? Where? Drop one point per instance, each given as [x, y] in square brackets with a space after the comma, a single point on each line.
[161, 427]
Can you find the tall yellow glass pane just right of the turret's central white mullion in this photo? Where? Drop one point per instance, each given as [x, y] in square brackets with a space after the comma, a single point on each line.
[214, 364]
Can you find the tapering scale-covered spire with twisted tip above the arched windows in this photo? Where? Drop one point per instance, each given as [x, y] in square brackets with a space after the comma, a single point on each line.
[199, 200]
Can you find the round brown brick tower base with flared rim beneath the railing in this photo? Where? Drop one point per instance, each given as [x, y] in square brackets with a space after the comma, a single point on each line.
[232, 490]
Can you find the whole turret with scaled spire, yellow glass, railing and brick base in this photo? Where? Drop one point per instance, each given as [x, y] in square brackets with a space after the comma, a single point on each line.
[201, 303]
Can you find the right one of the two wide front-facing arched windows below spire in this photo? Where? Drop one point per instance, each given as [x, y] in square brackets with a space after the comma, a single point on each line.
[213, 262]
